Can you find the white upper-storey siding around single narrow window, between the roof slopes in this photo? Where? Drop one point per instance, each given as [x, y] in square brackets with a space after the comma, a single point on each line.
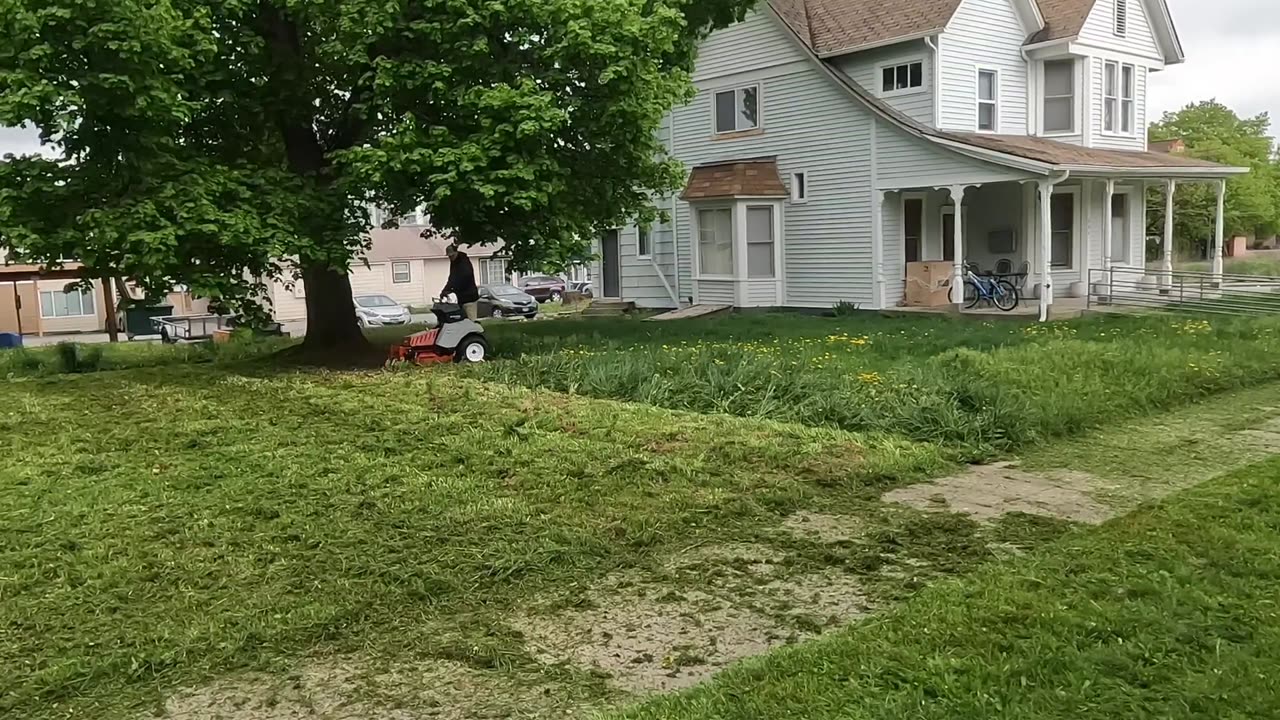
[984, 34]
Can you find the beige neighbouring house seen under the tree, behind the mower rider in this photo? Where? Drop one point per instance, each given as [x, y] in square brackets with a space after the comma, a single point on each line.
[401, 265]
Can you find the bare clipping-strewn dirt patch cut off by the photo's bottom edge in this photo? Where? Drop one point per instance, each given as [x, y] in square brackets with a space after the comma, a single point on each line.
[349, 691]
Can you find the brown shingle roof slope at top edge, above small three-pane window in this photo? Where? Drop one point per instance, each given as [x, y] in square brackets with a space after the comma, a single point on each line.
[847, 25]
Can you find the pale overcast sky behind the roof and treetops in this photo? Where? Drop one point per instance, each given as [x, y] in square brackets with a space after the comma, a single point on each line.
[1233, 53]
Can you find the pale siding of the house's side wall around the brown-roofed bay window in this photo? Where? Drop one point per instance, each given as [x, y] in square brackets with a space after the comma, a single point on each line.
[810, 126]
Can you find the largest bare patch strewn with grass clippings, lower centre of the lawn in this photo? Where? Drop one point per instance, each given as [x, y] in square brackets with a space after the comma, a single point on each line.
[662, 636]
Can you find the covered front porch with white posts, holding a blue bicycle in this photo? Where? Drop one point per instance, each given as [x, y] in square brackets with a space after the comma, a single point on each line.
[1044, 235]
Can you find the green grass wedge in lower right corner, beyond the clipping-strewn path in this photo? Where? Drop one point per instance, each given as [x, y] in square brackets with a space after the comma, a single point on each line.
[1171, 613]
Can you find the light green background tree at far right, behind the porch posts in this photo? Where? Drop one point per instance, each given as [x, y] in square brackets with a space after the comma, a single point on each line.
[1214, 133]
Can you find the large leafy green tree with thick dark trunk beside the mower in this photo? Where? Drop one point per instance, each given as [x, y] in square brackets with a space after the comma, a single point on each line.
[220, 143]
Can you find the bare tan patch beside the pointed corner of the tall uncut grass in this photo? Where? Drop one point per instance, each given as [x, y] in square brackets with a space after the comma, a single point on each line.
[988, 493]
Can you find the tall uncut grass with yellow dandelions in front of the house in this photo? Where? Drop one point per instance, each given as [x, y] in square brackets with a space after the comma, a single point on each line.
[979, 388]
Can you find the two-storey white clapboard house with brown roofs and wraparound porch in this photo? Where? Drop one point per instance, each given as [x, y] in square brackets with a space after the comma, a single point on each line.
[833, 142]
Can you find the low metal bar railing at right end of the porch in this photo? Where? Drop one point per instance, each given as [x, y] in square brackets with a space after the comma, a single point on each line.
[1183, 291]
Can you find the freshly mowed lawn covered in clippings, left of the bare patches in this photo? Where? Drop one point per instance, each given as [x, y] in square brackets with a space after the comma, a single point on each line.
[164, 528]
